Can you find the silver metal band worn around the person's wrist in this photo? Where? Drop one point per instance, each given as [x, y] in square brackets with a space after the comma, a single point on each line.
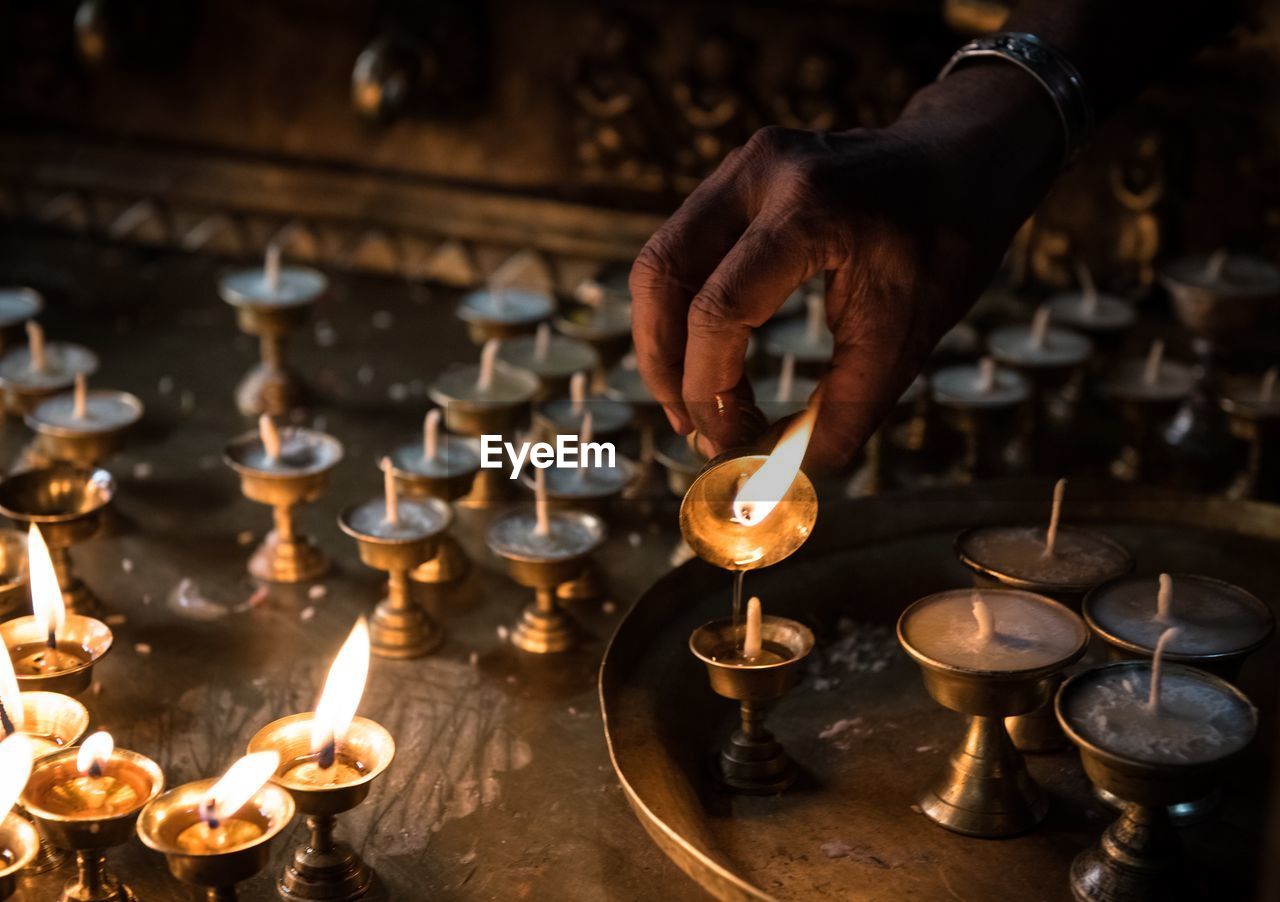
[1046, 66]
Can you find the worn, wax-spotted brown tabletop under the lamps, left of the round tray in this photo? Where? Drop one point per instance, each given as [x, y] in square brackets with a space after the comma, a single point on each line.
[501, 787]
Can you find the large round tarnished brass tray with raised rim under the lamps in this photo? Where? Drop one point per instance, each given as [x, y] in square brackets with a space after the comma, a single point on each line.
[862, 727]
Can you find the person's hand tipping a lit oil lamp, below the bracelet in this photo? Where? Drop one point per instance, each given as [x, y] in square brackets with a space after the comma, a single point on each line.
[909, 225]
